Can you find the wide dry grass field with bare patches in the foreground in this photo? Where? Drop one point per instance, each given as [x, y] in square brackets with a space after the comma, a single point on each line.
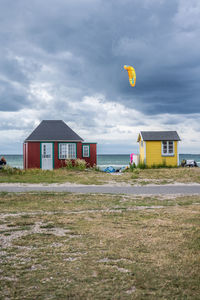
[68, 246]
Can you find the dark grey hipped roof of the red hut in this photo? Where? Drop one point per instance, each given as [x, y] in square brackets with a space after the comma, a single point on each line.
[53, 130]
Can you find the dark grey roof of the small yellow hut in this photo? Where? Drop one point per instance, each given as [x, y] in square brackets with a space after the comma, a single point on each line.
[160, 136]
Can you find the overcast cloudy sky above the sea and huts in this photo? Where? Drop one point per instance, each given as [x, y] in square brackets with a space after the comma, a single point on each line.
[63, 60]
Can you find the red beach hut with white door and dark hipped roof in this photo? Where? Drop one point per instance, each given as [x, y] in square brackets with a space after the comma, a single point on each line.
[52, 142]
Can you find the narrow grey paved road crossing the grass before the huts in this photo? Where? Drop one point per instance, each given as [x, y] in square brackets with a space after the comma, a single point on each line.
[134, 190]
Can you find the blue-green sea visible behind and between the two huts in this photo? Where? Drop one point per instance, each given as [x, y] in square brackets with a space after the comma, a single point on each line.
[103, 160]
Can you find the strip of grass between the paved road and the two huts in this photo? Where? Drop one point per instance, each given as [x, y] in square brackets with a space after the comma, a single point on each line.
[90, 176]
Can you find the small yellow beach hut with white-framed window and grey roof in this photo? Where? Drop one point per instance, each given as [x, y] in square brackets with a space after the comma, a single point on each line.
[159, 147]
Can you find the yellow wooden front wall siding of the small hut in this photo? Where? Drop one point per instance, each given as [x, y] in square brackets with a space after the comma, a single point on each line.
[154, 154]
